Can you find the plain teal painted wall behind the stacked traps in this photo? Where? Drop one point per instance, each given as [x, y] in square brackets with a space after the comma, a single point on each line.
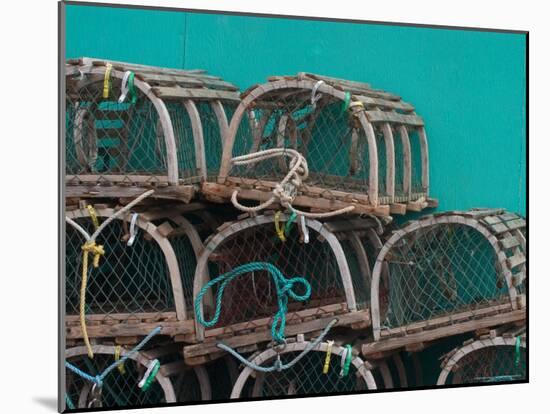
[468, 86]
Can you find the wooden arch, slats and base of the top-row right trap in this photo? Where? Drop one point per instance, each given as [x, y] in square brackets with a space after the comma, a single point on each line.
[380, 113]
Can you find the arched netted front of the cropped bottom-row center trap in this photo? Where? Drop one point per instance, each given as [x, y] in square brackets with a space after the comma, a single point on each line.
[308, 376]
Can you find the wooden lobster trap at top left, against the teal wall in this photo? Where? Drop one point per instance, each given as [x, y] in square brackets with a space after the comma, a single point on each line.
[129, 126]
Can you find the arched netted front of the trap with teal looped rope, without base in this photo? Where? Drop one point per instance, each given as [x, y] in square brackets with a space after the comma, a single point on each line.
[253, 295]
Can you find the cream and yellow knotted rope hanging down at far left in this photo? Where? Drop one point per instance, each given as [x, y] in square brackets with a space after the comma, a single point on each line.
[91, 247]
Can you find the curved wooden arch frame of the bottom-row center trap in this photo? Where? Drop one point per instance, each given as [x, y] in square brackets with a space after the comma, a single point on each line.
[362, 372]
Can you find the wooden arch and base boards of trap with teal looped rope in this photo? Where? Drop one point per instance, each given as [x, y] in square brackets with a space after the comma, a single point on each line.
[307, 318]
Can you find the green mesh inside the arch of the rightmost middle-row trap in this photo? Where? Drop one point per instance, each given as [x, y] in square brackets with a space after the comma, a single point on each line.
[441, 269]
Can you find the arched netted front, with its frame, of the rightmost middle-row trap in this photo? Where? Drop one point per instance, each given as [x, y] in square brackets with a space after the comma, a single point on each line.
[443, 267]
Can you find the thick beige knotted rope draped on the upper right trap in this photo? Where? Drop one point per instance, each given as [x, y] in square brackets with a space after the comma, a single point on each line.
[285, 191]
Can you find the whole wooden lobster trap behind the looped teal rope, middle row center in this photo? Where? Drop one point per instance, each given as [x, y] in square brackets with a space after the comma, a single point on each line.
[309, 250]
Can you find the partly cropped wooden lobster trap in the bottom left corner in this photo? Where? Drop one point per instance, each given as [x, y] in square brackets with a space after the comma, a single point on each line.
[173, 382]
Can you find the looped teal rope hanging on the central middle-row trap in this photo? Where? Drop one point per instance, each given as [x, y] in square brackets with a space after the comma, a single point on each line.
[283, 288]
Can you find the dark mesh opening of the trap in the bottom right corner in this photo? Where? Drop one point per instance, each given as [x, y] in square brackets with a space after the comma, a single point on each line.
[491, 364]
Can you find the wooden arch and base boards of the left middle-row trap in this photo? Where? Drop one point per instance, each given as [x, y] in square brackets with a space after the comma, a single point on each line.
[163, 227]
